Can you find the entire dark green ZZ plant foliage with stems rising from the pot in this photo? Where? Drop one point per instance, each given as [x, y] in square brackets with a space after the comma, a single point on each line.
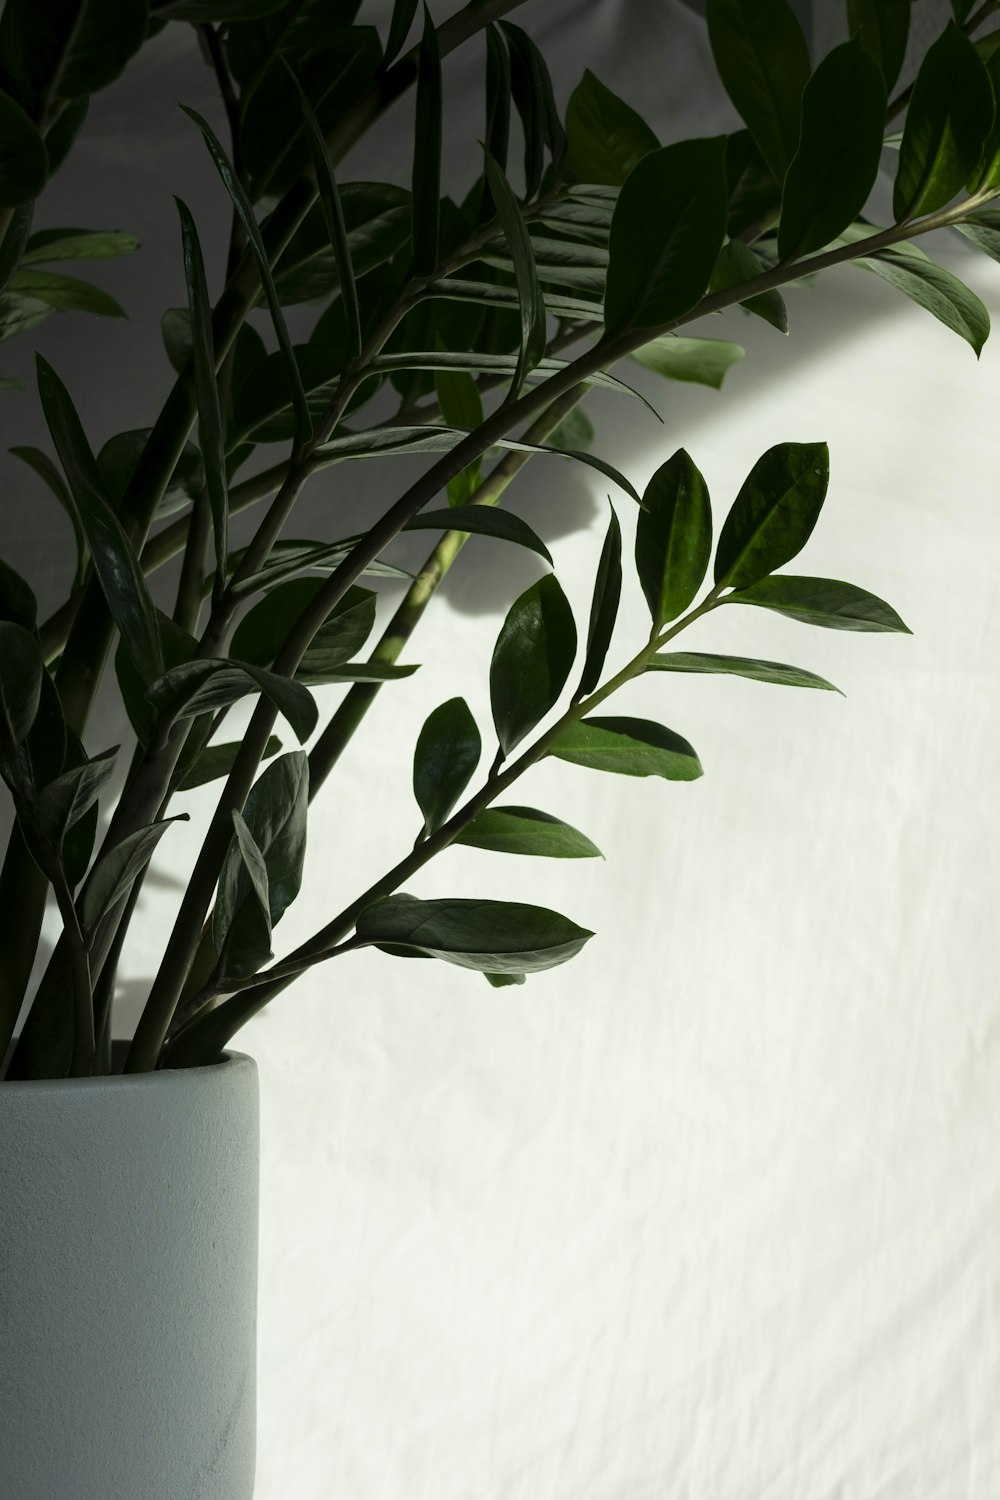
[464, 331]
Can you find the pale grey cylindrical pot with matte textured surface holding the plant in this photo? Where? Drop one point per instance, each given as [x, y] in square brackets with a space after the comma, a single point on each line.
[128, 1286]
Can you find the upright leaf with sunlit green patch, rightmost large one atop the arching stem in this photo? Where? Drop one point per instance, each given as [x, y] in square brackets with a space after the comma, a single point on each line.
[948, 121]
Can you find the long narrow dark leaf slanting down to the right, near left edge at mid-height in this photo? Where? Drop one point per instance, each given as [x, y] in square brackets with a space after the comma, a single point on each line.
[116, 565]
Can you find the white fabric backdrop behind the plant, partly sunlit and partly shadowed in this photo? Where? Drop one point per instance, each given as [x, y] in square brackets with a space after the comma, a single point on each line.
[711, 1213]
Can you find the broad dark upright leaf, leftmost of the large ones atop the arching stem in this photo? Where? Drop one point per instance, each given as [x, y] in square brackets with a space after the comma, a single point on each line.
[666, 235]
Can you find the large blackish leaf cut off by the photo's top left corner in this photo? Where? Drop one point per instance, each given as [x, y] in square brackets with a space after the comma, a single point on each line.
[67, 49]
